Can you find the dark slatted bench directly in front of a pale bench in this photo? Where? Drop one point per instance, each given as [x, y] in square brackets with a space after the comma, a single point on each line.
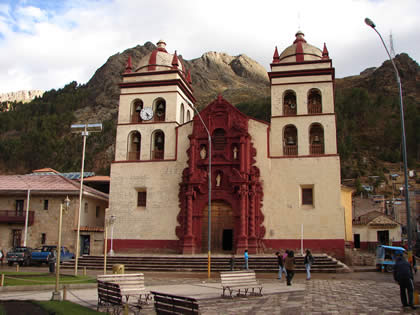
[109, 296]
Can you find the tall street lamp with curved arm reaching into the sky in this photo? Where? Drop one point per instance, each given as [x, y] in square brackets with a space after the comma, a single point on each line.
[370, 23]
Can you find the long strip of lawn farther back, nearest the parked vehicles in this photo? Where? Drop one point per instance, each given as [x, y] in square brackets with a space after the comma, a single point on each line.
[28, 278]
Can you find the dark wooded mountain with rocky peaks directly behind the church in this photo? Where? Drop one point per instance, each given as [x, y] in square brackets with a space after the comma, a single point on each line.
[37, 134]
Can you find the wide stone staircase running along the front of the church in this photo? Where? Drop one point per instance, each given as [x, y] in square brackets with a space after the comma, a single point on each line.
[323, 263]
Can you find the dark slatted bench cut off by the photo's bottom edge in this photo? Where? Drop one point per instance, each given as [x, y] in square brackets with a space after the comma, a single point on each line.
[174, 304]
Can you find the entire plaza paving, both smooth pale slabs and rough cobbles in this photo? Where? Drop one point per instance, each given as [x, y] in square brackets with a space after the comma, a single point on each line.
[352, 293]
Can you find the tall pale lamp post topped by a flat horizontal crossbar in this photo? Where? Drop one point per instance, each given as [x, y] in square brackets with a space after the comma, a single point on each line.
[84, 130]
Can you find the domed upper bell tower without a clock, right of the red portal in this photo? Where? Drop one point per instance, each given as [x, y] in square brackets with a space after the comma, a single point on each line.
[302, 106]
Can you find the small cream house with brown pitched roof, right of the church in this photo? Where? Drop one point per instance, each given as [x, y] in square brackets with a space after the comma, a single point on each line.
[374, 228]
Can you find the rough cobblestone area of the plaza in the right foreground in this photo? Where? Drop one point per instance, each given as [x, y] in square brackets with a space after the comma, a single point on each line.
[320, 297]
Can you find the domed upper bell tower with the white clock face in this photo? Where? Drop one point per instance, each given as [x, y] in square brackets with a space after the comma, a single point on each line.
[155, 98]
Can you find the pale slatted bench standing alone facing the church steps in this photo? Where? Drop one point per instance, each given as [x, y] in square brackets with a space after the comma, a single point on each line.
[240, 281]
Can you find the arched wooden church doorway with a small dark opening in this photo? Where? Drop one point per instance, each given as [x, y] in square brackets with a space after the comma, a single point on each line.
[222, 227]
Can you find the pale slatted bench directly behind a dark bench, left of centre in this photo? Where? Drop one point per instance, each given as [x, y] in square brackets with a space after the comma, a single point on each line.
[130, 285]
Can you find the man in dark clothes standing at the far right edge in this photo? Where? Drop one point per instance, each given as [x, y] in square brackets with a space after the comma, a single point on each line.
[404, 276]
